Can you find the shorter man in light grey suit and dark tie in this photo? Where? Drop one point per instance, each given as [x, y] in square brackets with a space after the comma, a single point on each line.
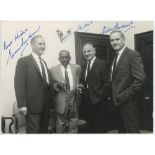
[66, 79]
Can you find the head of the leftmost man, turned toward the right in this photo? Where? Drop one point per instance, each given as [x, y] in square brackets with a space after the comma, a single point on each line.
[38, 46]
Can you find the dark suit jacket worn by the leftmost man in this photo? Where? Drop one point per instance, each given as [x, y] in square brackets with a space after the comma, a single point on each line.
[29, 85]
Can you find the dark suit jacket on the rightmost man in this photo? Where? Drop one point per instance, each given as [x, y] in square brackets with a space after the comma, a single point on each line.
[128, 77]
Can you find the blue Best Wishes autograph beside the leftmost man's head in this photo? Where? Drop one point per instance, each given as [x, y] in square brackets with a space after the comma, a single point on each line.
[20, 40]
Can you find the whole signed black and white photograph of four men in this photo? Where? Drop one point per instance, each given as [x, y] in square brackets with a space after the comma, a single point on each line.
[77, 77]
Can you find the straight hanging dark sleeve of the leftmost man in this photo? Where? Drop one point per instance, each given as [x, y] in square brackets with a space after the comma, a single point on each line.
[20, 83]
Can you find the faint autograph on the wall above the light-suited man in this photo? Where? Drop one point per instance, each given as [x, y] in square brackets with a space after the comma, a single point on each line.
[69, 32]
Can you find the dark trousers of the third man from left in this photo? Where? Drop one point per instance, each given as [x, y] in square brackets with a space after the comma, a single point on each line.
[94, 114]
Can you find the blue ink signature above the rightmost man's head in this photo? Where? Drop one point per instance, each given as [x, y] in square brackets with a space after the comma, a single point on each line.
[118, 26]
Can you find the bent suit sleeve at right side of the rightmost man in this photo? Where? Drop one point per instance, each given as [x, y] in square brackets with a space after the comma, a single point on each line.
[137, 72]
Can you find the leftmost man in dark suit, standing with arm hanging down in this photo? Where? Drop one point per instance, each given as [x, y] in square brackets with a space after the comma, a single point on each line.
[32, 88]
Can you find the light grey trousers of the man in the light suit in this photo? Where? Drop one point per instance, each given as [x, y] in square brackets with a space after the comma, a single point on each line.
[68, 122]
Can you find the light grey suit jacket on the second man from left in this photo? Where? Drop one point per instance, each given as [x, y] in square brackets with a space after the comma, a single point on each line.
[60, 96]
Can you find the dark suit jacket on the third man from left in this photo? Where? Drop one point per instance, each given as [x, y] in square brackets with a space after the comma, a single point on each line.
[97, 80]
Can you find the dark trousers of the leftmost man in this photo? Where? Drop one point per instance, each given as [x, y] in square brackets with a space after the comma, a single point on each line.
[39, 122]
